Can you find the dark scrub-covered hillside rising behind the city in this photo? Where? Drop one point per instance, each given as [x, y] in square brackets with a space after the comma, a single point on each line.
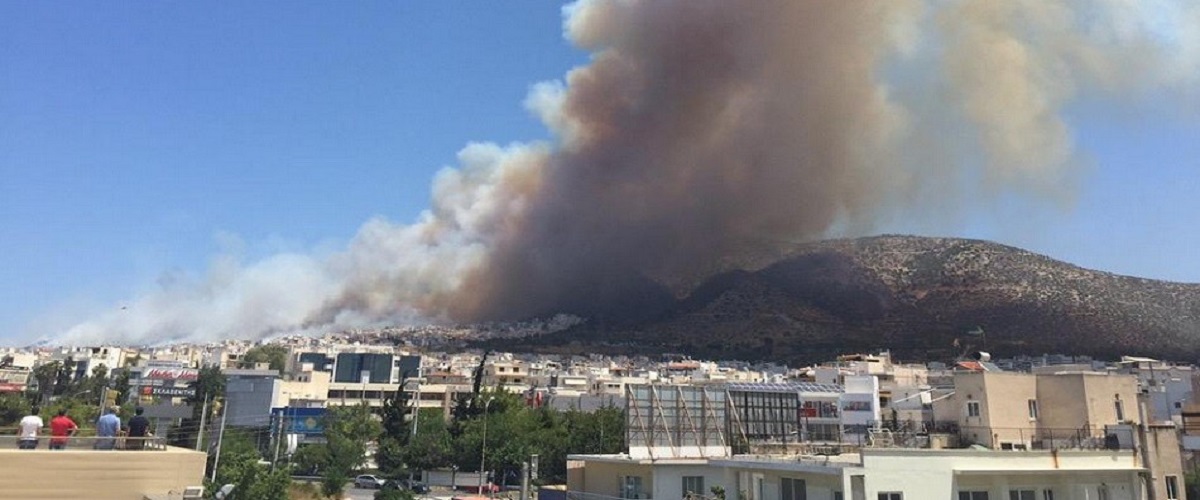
[914, 296]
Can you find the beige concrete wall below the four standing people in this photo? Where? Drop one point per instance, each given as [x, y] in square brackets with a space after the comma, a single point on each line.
[98, 475]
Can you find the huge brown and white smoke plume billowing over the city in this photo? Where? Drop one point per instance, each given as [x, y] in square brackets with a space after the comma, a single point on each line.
[706, 135]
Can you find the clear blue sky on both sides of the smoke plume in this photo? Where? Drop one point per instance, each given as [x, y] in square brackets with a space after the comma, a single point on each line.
[136, 137]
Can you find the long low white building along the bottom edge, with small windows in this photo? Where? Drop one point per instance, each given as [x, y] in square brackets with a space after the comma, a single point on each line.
[877, 474]
